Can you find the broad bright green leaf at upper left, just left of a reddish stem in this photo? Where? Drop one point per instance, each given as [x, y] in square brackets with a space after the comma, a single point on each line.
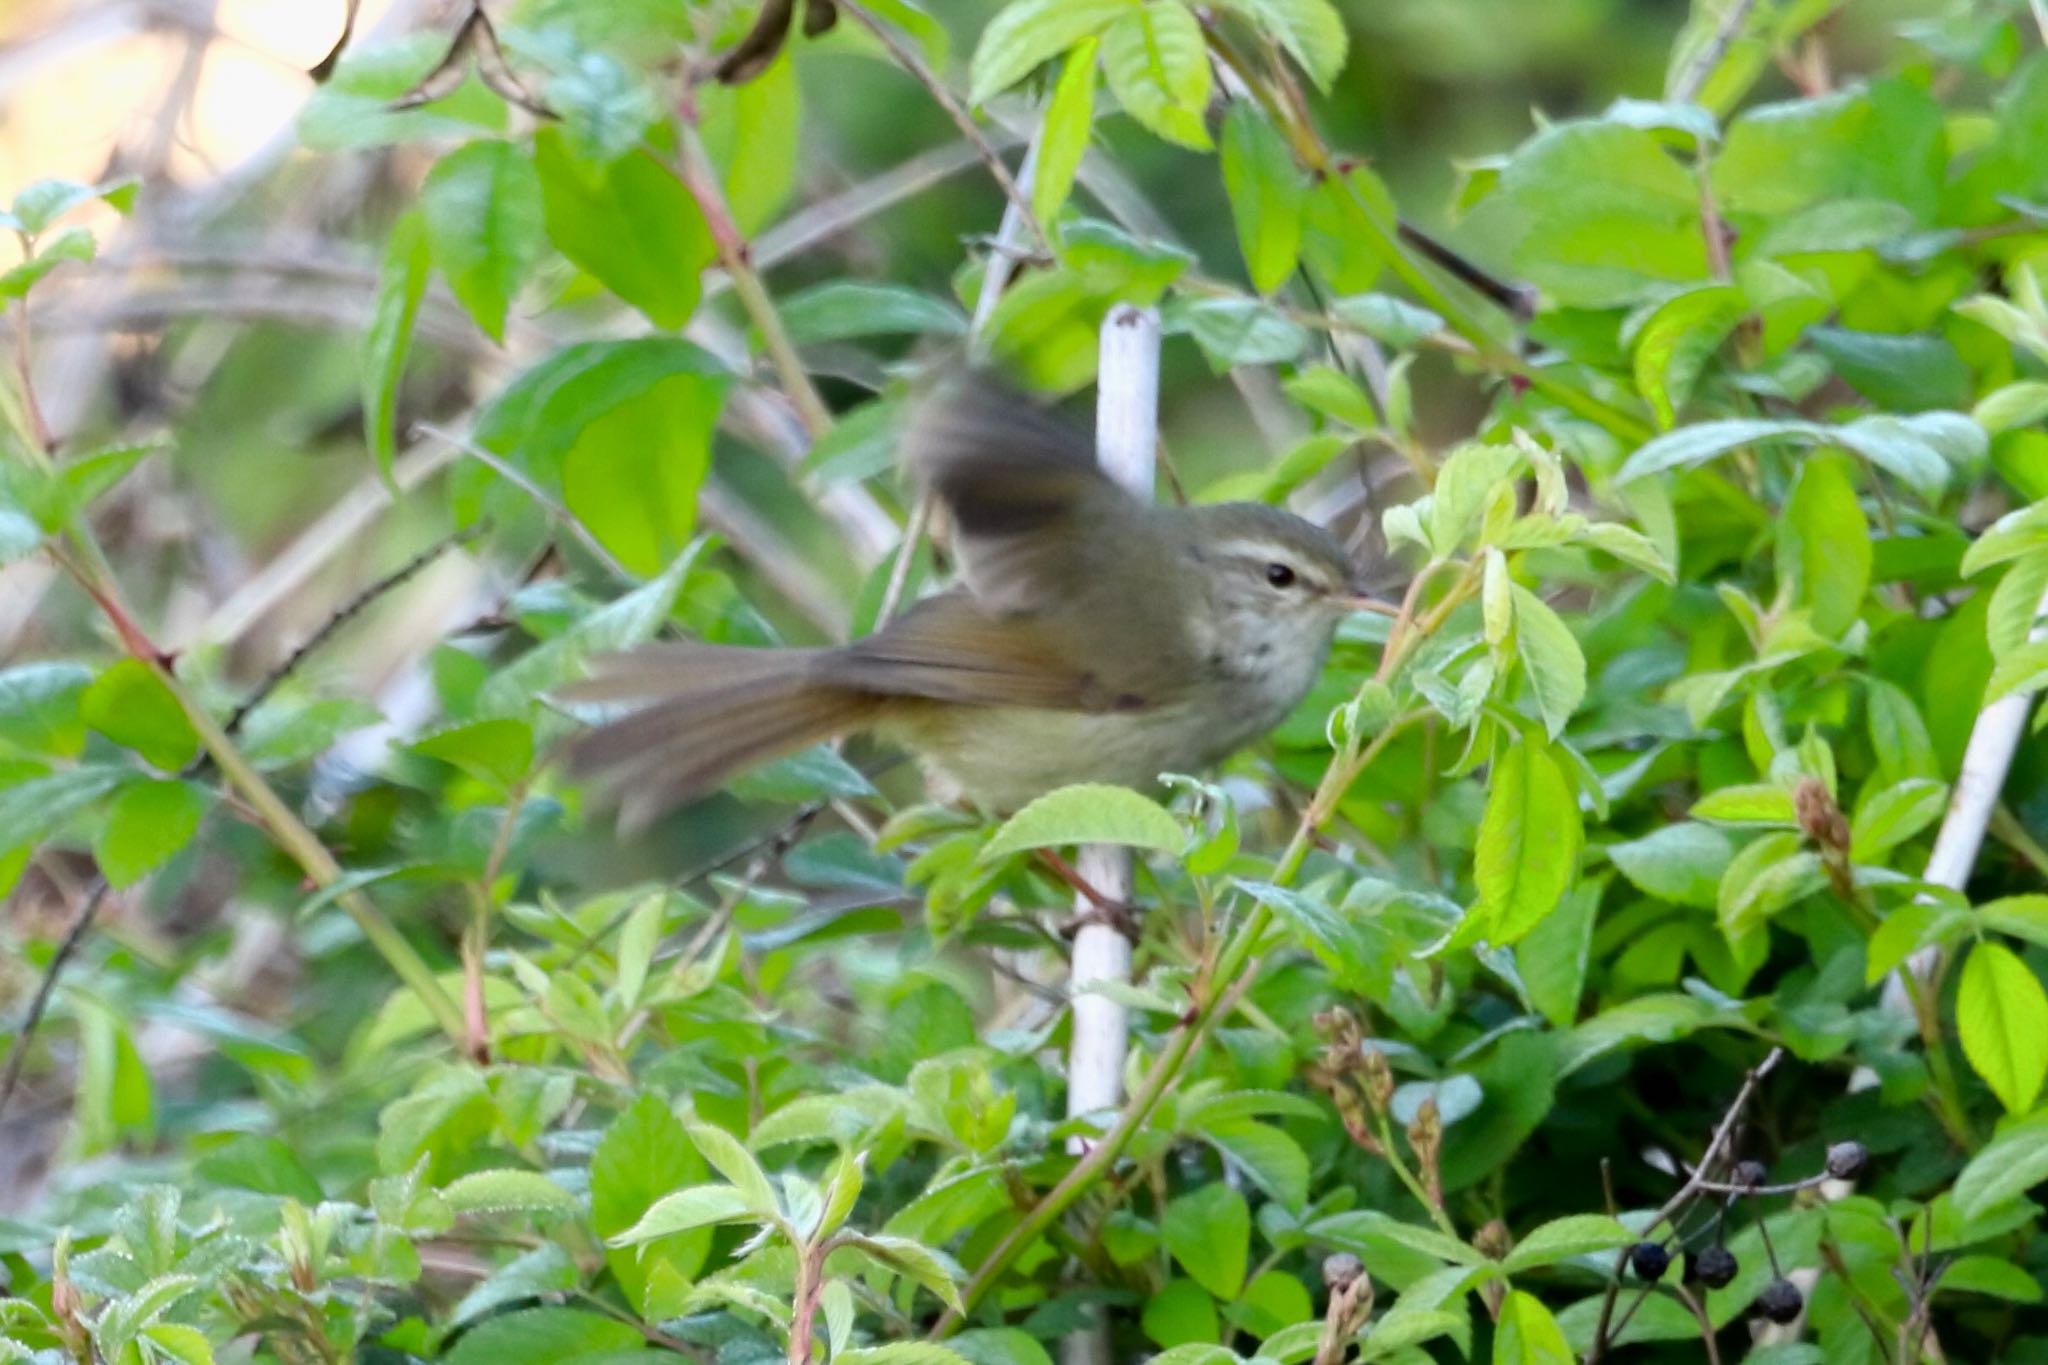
[630, 224]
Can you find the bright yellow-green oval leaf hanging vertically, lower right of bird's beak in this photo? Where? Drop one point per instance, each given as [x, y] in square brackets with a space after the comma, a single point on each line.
[1529, 844]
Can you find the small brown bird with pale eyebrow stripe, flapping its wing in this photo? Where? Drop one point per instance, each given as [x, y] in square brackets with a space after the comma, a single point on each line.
[1095, 637]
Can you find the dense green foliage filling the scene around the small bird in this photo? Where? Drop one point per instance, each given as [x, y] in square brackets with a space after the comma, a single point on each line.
[1560, 983]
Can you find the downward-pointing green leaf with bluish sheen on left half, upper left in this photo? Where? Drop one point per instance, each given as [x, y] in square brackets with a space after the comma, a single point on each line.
[482, 208]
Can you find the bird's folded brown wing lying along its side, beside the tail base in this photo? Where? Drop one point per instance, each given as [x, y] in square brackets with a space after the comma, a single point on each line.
[953, 650]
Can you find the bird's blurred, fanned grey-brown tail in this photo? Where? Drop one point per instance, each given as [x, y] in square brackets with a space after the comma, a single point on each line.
[706, 713]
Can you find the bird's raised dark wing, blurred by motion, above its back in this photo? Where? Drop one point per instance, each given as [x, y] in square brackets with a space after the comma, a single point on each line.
[1021, 488]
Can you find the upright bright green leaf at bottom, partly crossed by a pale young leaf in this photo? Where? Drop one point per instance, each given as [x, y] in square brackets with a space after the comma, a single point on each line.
[644, 1155]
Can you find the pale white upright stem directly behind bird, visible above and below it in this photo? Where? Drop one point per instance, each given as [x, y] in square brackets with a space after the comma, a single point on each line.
[1127, 443]
